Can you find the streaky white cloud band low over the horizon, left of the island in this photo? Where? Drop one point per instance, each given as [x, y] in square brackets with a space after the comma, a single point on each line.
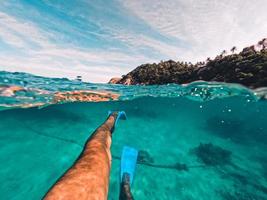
[55, 60]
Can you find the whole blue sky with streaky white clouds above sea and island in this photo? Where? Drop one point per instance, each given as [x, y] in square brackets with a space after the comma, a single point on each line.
[100, 39]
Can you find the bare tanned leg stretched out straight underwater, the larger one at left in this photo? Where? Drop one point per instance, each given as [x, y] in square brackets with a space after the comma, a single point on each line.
[88, 178]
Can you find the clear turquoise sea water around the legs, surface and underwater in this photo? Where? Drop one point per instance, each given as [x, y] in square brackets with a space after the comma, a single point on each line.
[171, 123]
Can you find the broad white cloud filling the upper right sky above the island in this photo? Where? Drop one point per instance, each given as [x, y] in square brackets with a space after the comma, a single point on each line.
[208, 25]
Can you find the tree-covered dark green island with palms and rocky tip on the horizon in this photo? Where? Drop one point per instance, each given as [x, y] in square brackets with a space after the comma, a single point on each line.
[248, 67]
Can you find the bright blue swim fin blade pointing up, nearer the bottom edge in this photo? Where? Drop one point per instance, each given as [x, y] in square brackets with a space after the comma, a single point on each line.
[128, 162]
